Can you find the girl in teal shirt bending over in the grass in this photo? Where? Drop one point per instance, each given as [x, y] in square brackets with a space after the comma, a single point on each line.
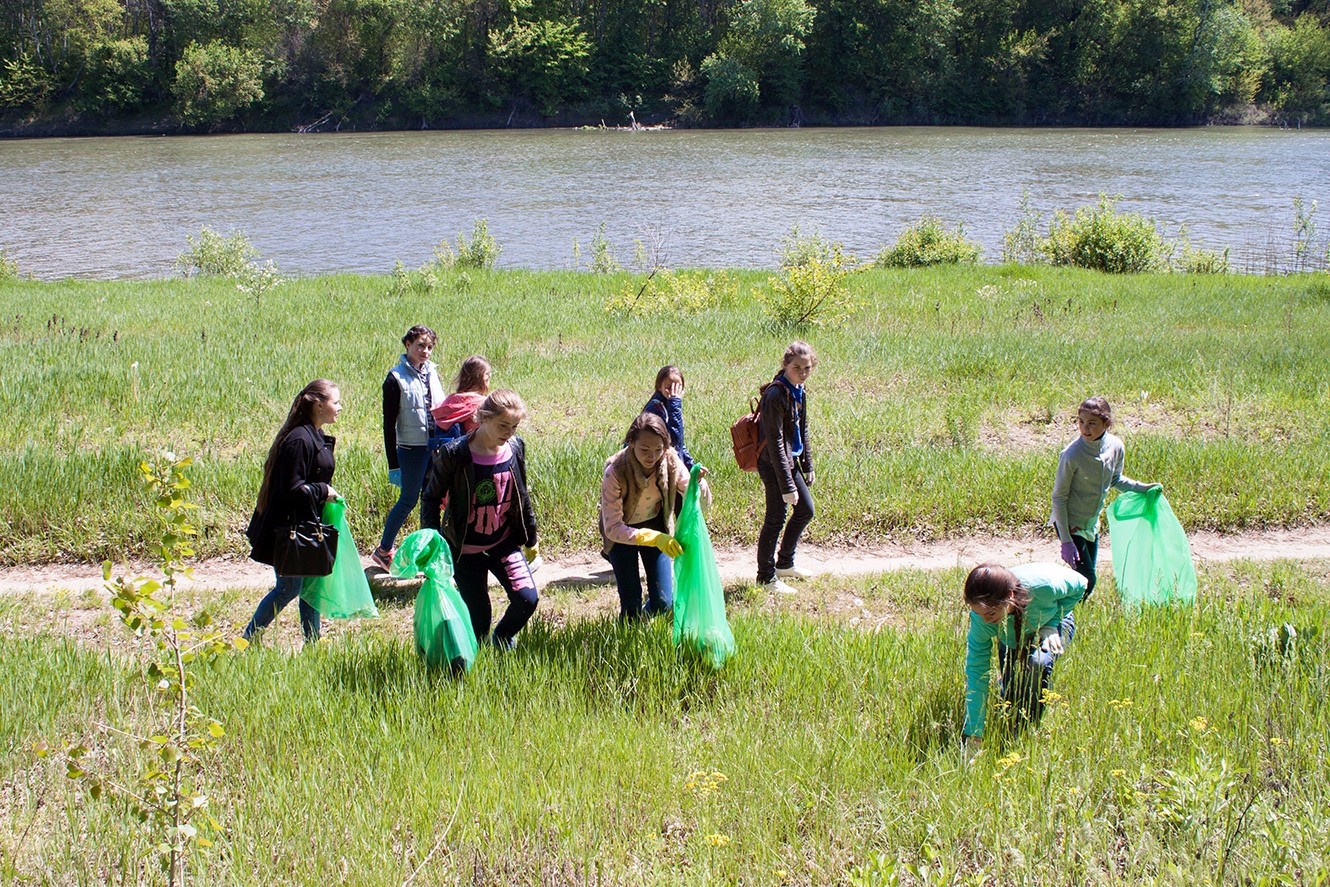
[1027, 611]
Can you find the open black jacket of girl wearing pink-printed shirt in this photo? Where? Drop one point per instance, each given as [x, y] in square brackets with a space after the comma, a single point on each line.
[453, 477]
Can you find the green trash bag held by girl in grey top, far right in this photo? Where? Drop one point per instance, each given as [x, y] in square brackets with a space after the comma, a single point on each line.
[1152, 561]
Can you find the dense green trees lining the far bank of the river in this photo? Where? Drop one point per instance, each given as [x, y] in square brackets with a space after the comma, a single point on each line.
[256, 64]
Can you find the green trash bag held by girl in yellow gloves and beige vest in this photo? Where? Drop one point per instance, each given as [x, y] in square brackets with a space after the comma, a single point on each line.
[699, 596]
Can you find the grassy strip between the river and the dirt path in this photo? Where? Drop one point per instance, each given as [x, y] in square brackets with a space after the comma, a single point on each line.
[941, 410]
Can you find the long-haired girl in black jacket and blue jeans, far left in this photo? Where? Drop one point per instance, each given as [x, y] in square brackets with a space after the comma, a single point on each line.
[297, 482]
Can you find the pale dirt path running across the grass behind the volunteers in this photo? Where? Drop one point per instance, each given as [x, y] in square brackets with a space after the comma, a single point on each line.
[737, 565]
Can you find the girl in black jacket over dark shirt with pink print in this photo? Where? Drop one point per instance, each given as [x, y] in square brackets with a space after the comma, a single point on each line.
[475, 495]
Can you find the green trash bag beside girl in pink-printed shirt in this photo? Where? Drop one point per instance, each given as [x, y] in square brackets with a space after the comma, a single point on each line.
[442, 620]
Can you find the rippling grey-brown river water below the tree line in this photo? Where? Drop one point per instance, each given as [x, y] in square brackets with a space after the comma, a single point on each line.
[122, 208]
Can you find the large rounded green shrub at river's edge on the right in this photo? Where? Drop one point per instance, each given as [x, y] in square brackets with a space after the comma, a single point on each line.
[1103, 240]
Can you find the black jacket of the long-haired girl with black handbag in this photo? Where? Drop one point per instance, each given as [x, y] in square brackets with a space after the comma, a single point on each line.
[303, 478]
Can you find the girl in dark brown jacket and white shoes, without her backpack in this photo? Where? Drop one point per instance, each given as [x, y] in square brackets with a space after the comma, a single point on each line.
[785, 466]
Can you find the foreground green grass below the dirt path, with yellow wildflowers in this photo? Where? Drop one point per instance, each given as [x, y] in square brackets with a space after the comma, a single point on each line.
[1184, 743]
